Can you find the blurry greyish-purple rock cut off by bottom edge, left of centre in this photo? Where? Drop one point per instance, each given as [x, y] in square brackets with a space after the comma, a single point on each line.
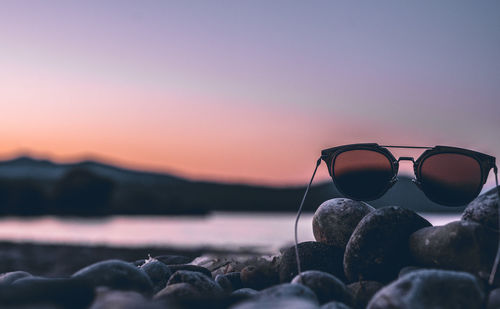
[121, 300]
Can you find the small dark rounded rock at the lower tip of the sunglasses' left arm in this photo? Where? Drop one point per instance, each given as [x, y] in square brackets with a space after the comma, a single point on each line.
[326, 286]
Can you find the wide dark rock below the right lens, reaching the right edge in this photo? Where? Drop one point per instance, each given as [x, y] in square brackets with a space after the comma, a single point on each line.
[459, 245]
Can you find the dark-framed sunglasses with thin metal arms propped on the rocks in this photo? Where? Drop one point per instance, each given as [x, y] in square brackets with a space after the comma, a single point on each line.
[448, 176]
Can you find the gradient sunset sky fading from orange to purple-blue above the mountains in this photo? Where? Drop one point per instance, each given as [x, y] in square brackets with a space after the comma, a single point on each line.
[244, 91]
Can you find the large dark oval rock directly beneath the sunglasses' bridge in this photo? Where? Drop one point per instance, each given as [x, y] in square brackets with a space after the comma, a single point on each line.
[378, 247]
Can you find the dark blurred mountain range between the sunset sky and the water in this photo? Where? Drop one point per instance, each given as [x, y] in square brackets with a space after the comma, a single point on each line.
[32, 187]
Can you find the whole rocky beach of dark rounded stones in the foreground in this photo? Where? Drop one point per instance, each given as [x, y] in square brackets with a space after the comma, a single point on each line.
[362, 258]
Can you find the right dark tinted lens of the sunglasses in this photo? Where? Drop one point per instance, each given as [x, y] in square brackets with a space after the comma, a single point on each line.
[451, 179]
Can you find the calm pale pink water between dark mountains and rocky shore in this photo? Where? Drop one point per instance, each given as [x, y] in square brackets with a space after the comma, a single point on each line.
[224, 230]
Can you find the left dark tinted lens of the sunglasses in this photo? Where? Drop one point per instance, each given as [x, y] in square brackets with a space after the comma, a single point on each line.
[362, 174]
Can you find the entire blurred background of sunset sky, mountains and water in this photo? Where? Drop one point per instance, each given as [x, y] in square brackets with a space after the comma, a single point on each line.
[203, 119]
